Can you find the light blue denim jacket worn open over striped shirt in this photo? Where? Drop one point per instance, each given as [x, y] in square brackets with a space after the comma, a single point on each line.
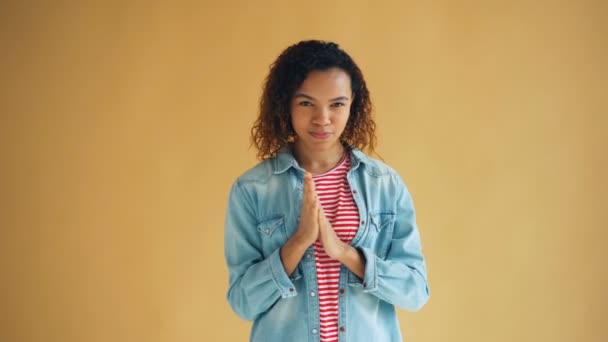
[263, 212]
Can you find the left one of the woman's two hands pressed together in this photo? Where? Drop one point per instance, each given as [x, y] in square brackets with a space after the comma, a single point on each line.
[308, 227]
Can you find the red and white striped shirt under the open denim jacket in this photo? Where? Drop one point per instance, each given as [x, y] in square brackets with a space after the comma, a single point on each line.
[341, 211]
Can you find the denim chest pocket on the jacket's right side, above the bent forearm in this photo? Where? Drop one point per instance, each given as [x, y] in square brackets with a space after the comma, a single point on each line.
[380, 232]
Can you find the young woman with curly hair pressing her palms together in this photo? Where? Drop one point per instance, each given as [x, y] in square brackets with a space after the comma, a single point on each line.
[321, 240]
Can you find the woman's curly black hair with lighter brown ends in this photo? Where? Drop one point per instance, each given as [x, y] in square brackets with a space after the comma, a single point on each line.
[273, 129]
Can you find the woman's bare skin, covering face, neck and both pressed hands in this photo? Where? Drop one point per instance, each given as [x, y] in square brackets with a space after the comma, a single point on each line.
[319, 112]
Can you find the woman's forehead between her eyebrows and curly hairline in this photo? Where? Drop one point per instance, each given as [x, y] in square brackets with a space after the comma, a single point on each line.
[328, 83]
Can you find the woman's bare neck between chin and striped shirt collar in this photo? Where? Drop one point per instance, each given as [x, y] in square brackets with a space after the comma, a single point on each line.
[318, 161]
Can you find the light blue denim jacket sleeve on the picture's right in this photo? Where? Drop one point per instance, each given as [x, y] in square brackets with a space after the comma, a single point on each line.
[400, 278]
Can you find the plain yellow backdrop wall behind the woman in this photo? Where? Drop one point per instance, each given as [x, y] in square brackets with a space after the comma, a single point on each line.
[123, 125]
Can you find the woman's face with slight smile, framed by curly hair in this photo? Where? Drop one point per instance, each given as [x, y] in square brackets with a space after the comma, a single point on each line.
[320, 109]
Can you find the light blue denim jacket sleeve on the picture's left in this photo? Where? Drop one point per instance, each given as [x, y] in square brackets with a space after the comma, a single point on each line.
[255, 282]
